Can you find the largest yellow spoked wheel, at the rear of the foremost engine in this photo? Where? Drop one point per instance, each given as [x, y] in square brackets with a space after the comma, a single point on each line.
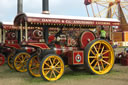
[99, 56]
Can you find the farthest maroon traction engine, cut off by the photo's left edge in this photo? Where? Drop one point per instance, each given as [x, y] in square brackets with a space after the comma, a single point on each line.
[8, 40]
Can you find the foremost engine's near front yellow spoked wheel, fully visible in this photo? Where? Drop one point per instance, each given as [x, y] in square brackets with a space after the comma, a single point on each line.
[51, 67]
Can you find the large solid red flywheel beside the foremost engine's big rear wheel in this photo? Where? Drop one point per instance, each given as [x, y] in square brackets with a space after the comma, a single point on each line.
[86, 37]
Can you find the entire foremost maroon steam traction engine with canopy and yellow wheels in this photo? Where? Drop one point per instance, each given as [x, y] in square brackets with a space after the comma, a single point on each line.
[67, 40]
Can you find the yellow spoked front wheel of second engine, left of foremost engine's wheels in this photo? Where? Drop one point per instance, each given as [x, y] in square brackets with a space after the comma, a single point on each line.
[20, 61]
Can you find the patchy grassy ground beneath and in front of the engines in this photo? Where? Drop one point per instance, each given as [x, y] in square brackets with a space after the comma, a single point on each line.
[118, 76]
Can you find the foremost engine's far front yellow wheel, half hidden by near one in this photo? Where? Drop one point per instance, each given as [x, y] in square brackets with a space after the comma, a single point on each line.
[33, 66]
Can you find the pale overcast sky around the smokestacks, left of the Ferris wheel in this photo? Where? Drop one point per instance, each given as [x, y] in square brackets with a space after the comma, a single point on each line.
[8, 8]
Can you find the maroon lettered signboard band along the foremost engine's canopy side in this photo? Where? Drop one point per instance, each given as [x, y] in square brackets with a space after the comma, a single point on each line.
[69, 21]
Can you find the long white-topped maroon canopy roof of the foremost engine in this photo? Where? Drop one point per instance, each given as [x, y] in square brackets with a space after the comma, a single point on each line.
[32, 18]
